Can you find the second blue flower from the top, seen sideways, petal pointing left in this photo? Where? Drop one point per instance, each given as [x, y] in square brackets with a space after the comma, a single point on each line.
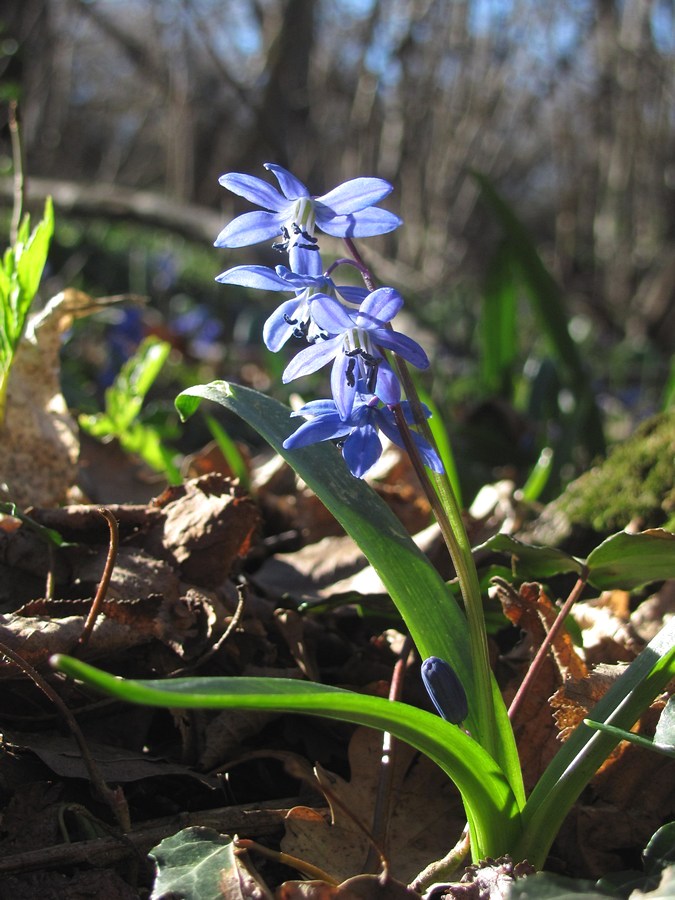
[294, 317]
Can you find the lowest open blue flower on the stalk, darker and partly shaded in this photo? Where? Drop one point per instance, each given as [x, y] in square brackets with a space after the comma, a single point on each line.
[357, 434]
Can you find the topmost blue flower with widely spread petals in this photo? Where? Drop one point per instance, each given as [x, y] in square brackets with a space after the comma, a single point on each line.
[347, 211]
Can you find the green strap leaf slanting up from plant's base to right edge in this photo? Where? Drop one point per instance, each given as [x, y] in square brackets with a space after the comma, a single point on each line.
[582, 754]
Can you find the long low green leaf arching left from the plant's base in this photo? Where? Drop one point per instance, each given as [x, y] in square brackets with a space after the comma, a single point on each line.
[491, 805]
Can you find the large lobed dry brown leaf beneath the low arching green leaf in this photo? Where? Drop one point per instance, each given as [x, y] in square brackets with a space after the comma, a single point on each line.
[425, 814]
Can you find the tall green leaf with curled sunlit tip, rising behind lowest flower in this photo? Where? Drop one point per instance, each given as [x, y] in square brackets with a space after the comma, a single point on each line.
[433, 617]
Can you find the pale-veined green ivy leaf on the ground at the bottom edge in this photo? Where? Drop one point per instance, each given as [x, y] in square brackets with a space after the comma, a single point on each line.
[191, 864]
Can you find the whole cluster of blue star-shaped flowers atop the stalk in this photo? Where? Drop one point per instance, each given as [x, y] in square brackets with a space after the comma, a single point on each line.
[345, 325]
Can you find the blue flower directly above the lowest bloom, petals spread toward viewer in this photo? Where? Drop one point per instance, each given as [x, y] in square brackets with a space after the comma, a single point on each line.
[352, 340]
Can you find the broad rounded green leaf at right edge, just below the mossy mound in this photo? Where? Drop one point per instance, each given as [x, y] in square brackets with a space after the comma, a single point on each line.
[627, 561]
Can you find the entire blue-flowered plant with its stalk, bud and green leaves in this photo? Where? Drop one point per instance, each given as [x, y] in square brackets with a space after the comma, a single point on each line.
[351, 327]
